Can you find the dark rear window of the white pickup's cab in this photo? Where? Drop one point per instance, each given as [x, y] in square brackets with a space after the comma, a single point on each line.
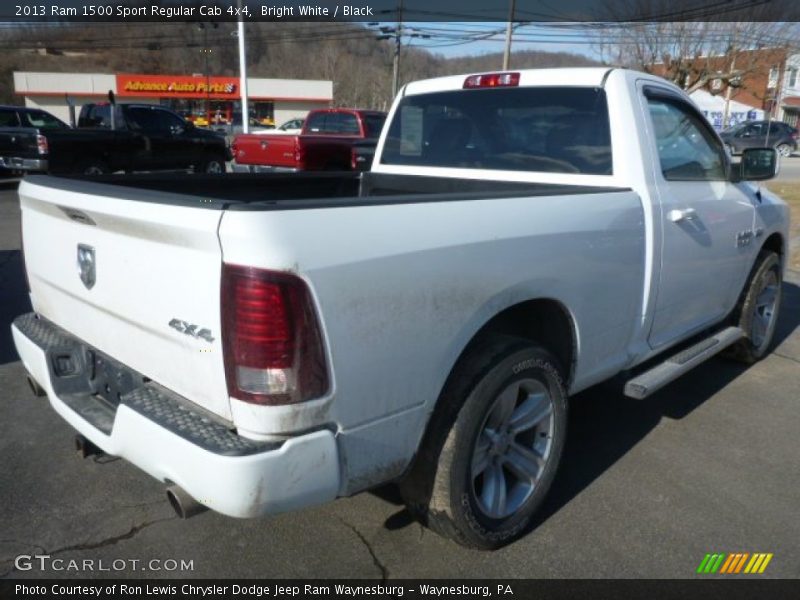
[550, 129]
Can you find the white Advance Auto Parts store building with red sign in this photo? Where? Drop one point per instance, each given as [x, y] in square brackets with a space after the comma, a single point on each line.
[203, 100]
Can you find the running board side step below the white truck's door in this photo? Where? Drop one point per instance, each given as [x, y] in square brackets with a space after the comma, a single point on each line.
[642, 386]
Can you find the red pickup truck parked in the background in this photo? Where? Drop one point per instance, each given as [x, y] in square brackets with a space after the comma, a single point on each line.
[326, 142]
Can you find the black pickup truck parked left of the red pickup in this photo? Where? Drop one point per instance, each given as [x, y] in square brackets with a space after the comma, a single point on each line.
[140, 137]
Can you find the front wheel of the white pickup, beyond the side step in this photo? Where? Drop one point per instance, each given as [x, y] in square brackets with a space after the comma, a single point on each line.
[757, 312]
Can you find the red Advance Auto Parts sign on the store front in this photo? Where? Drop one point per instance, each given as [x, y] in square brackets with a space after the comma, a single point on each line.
[177, 86]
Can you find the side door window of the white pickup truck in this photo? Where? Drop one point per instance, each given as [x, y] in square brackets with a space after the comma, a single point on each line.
[687, 149]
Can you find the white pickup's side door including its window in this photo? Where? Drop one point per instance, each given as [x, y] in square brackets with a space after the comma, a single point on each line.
[706, 220]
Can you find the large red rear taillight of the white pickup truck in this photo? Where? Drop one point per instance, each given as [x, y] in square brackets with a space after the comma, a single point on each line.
[271, 337]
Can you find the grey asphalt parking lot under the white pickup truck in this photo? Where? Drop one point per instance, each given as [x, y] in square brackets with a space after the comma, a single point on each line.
[647, 488]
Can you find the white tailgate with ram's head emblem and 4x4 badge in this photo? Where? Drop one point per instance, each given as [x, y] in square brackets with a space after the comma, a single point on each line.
[153, 301]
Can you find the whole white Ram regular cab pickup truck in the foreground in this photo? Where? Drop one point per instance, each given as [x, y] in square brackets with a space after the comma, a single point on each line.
[263, 343]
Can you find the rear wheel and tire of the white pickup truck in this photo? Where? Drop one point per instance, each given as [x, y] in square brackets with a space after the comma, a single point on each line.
[446, 488]
